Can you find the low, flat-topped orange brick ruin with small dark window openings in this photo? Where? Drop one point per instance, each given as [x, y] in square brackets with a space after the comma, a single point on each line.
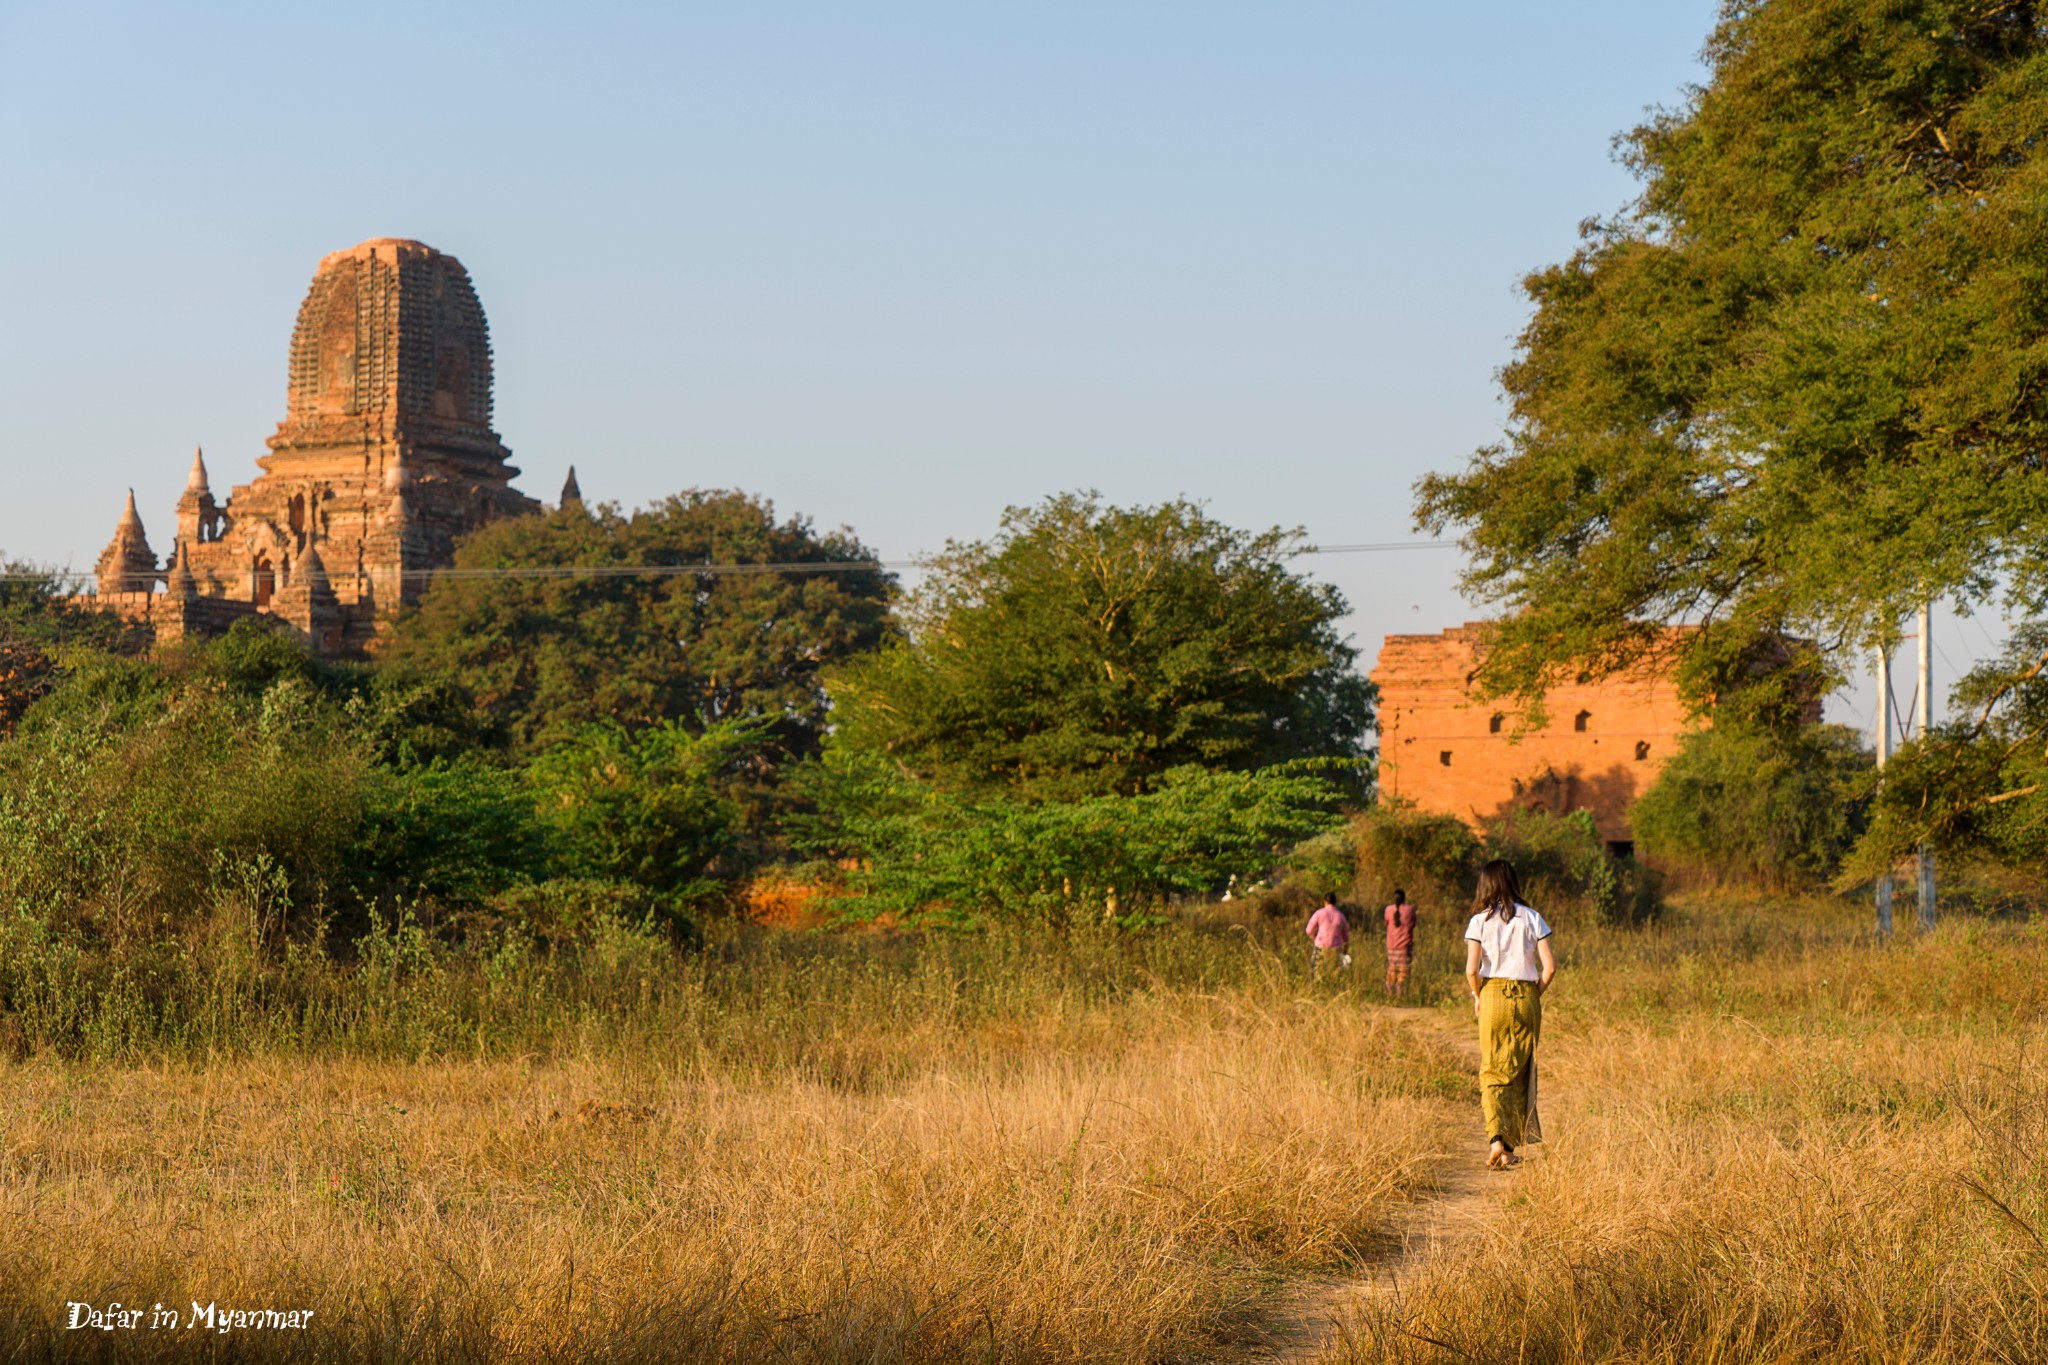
[1447, 754]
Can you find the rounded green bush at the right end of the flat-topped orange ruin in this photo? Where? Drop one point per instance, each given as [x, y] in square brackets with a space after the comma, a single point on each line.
[1754, 805]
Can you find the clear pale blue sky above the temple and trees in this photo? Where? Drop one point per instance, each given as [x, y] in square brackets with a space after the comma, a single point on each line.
[892, 265]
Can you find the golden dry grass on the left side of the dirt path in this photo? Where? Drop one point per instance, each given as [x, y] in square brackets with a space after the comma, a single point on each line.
[882, 1163]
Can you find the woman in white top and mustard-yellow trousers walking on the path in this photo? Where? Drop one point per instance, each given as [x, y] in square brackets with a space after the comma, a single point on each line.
[1508, 965]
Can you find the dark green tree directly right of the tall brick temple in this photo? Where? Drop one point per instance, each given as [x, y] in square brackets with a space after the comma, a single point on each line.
[611, 623]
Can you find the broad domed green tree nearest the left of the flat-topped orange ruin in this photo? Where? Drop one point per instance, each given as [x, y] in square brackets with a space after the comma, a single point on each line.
[1093, 650]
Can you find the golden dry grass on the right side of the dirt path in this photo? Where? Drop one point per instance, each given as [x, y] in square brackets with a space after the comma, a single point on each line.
[1770, 1141]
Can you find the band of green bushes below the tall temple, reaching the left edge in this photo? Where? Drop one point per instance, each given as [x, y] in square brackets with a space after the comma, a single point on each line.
[134, 783]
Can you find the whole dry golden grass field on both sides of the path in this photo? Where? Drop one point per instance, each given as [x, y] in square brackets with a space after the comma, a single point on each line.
[1770, 1141]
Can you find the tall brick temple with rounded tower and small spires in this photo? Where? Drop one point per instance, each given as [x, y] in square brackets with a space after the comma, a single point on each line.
[384, 459]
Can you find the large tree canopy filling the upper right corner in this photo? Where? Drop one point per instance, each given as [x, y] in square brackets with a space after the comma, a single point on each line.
[1803, 382]
